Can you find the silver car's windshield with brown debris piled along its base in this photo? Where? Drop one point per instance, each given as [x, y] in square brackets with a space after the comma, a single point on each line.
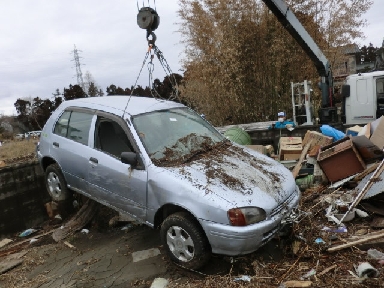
[176, 135]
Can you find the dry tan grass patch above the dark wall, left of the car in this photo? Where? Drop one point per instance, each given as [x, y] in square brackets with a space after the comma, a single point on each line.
[17, 151]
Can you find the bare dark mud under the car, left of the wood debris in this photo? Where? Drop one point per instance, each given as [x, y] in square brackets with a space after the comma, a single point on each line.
[104, 257]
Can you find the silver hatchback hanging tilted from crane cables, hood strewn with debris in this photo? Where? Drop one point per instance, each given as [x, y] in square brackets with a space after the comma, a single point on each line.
[163, 164]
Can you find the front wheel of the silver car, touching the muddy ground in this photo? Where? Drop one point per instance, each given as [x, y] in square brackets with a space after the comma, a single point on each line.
[185, 241]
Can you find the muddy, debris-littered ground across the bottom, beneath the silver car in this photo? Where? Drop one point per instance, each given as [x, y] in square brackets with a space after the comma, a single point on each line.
[105, 257]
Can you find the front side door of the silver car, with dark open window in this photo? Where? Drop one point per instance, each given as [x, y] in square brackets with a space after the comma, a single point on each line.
[114, 183]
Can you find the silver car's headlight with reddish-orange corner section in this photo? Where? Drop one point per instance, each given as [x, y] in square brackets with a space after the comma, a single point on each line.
[246, 215]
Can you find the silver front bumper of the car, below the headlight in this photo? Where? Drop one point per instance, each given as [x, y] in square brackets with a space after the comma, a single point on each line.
[234, 240]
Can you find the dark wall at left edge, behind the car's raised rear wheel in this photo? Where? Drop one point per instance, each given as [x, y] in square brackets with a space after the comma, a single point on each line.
[22, 198]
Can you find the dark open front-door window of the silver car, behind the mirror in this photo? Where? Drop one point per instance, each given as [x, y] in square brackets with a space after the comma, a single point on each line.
[111, 138]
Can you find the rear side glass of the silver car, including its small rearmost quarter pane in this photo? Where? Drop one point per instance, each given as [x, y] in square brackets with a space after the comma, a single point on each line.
[74, 125]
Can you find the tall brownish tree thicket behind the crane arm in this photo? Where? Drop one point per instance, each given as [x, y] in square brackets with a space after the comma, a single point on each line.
[240, 61]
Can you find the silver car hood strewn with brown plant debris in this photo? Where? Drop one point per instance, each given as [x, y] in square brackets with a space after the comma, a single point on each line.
[238, 175]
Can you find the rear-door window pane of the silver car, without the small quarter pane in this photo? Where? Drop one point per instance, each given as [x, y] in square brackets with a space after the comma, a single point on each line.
[78, 128]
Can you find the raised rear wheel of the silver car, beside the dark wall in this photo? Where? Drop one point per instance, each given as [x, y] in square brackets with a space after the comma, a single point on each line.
[56, 184]
